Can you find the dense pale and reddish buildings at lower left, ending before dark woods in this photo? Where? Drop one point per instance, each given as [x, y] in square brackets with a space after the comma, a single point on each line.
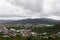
[12, 32]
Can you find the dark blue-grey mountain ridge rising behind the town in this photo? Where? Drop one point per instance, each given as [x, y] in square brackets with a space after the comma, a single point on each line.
[37, 21]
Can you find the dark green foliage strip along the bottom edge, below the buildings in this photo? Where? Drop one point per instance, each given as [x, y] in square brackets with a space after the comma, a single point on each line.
[18, 37]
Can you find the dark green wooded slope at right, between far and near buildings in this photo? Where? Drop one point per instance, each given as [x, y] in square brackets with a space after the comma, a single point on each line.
[51, 29]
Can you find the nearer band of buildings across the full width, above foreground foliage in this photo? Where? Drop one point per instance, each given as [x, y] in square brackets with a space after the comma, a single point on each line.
[25, 33]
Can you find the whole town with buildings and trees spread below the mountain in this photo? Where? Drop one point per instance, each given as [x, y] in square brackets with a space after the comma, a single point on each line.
[27, 30]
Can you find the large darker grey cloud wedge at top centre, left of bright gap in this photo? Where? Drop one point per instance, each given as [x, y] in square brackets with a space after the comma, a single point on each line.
[34, 5]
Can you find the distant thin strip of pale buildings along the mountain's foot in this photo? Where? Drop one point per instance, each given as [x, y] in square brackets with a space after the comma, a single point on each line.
[26, 25]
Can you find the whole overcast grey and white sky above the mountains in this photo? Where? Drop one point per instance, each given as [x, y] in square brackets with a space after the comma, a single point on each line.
[22, 9]
